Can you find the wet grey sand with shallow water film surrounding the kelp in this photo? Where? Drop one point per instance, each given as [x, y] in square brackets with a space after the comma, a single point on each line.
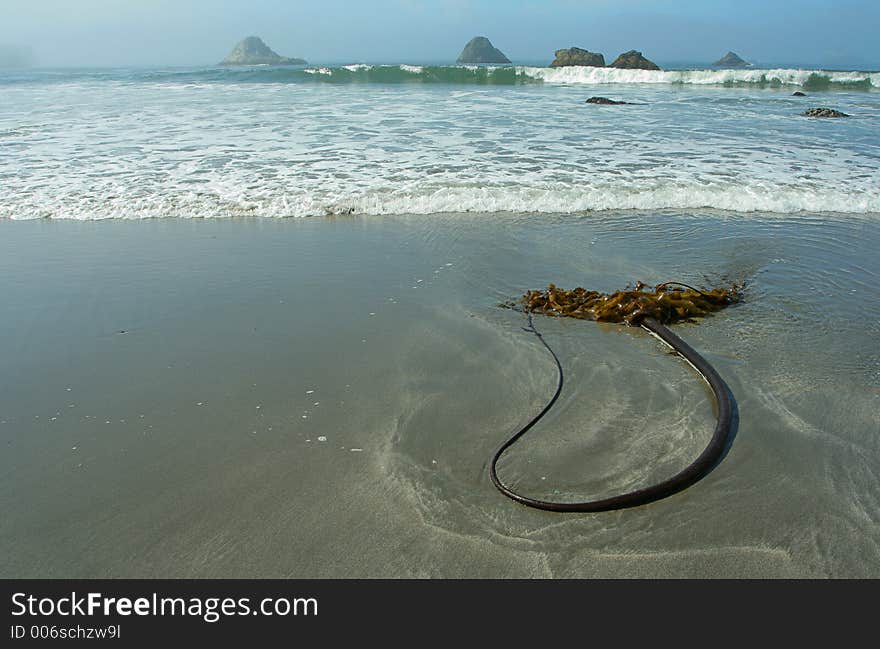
[320, 398]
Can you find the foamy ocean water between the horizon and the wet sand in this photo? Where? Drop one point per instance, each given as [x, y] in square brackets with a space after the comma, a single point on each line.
[275, 142]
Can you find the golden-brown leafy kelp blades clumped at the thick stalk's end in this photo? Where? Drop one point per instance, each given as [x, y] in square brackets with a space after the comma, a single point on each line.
[667, 303]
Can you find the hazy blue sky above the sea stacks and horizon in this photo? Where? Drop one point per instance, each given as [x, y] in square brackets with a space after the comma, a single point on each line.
[194, 32]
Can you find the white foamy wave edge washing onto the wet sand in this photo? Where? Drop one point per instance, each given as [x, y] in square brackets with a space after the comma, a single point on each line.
[443, 200]
